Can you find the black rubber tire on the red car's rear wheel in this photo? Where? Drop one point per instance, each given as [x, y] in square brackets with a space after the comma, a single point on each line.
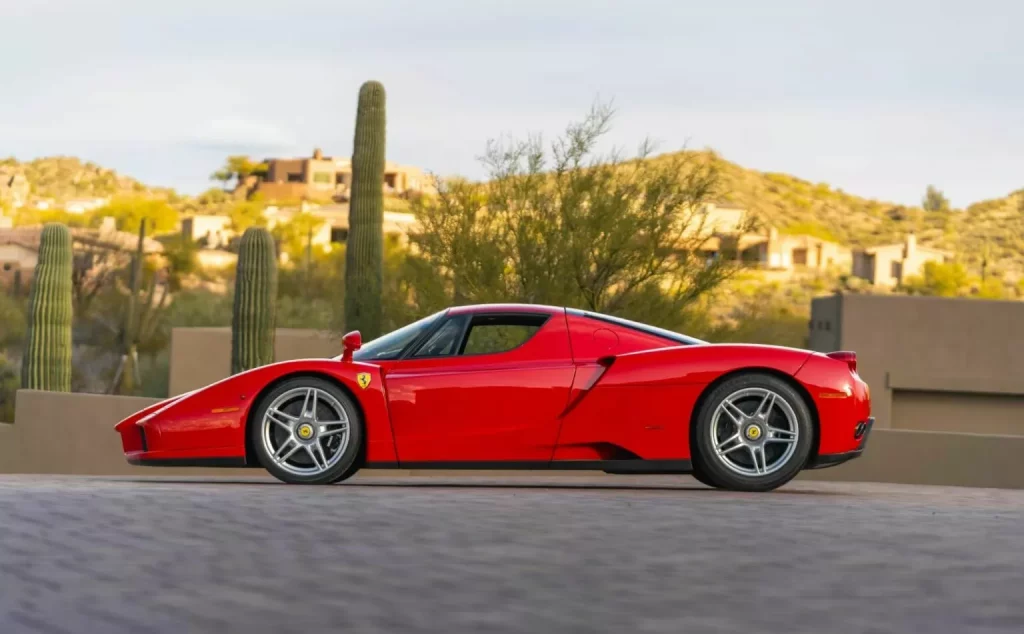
[724, 473]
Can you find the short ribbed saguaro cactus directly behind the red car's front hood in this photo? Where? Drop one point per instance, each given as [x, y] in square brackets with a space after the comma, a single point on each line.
[255, 309]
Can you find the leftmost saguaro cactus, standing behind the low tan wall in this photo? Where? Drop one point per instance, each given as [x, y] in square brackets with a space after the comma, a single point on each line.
[48, 354]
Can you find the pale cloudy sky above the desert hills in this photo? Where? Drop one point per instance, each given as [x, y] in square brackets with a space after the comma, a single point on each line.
[879, 99]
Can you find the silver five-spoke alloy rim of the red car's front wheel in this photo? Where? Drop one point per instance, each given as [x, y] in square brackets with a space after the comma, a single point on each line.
[306, 432]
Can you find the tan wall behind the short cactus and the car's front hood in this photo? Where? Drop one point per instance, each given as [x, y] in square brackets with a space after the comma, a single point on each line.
[203, 356]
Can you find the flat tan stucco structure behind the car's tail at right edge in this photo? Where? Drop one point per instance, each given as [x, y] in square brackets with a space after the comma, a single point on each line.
[932, 364]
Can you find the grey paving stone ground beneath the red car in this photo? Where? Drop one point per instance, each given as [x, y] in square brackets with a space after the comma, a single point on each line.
[520, 555]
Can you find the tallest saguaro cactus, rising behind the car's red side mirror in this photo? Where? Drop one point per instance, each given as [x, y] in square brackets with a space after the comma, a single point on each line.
[365, 255]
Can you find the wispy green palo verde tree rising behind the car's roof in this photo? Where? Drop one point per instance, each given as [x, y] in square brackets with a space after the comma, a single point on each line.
[568, 226]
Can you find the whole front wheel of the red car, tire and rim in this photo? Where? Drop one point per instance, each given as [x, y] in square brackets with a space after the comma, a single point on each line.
[308, 431]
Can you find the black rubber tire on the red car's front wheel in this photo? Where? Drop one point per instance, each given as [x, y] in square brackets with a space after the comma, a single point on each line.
[344, 467]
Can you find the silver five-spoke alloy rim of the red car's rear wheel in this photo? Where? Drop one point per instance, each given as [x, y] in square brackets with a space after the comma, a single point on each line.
[754, 432]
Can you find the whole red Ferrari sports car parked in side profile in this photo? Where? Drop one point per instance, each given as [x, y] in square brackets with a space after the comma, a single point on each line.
[522, 387]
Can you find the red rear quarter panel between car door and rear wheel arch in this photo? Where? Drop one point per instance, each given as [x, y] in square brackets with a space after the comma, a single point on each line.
[645, 401]
